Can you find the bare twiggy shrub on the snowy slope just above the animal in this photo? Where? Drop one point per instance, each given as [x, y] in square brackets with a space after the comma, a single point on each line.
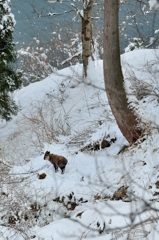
[43, 123]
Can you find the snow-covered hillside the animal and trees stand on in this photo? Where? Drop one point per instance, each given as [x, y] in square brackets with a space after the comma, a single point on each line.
[70, 117]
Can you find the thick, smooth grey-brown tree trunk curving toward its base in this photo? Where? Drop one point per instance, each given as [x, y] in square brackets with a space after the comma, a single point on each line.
[113, 76]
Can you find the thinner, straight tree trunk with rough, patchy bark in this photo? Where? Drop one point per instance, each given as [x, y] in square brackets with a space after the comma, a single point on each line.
[86, 33]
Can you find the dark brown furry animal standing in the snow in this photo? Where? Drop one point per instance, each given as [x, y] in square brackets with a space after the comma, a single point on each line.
[56, 160]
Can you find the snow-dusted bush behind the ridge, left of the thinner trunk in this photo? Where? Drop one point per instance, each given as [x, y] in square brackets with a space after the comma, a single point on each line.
[41, 58]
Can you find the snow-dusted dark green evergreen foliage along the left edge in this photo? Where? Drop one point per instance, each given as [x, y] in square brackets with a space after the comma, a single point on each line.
[9, 77]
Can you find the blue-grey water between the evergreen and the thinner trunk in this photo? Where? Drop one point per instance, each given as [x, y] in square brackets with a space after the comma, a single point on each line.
[29, 24]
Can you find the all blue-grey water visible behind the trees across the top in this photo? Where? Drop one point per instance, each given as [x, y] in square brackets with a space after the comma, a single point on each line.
[29, 25]
